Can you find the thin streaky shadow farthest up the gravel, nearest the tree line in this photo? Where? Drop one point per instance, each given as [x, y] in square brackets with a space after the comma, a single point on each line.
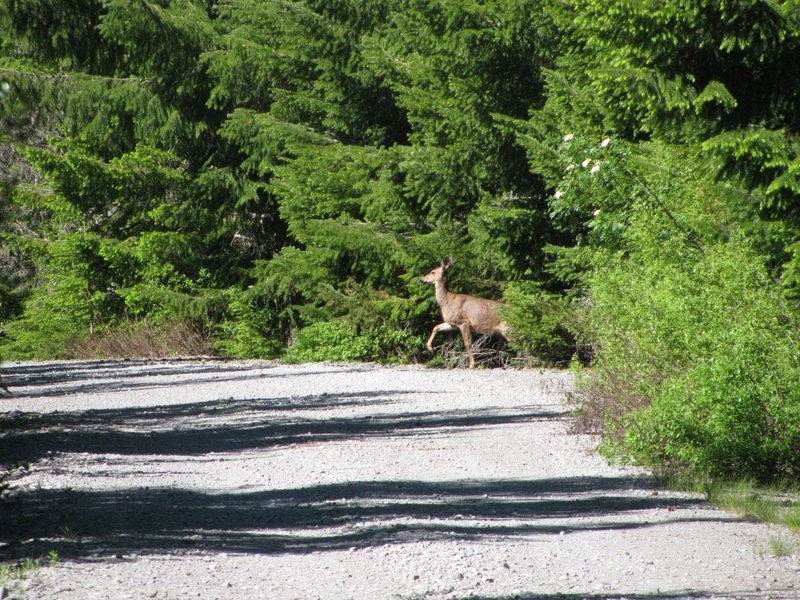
[102, 376]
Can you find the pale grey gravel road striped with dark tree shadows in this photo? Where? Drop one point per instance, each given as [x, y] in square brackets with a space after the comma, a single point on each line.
[239, 480]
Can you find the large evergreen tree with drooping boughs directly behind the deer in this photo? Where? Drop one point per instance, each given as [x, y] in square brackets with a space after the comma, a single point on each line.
[428, 169]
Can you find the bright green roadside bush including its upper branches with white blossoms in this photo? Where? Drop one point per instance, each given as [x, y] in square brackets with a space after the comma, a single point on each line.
[695, 349]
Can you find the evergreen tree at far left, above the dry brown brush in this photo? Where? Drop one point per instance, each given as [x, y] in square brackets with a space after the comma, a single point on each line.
[131, 212]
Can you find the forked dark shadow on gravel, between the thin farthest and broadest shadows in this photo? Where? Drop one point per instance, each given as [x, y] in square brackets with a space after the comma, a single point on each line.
[229, 425]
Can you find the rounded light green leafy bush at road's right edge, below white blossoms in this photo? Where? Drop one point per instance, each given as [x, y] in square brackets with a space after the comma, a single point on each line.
[698, 364]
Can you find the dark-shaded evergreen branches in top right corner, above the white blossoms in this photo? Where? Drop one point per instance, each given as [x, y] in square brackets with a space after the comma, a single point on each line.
[675, 70]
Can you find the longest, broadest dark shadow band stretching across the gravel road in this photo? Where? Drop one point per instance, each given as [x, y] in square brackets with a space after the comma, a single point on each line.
[98, 524]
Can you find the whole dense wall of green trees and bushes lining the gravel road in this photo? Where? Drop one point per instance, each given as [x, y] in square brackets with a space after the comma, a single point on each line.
[271, 178]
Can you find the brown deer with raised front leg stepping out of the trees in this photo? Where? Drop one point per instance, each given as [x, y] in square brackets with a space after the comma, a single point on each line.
[469, 314]
